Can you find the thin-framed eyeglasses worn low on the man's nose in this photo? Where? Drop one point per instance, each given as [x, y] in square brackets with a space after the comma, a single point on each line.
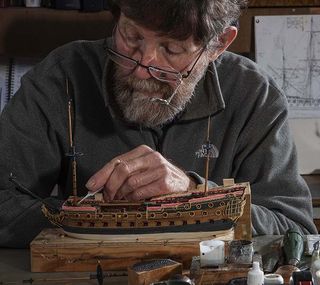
[164, 75]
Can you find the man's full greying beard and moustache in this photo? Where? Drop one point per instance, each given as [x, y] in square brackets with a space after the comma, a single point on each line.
[138, 108]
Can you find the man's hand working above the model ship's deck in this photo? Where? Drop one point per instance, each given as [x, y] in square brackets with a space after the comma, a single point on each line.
[139, 174]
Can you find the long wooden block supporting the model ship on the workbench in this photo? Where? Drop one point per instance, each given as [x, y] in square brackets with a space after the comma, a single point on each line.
[52, 251]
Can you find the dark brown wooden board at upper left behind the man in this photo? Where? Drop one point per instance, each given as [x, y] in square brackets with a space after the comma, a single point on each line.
[33, 32]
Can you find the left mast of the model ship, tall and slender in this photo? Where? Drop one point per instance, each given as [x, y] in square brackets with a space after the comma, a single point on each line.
[72, 153]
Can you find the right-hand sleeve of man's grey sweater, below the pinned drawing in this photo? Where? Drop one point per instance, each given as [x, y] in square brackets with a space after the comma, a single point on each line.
[280, 197]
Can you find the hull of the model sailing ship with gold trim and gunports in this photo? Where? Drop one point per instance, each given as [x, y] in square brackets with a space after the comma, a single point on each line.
[217, 211]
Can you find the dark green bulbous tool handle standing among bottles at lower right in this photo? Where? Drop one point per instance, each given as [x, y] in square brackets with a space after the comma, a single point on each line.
[293, 247]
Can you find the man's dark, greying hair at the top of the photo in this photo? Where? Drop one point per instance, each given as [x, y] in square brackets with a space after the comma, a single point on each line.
[205, 20]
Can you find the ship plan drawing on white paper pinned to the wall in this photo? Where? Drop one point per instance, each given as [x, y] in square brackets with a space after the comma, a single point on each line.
[288, 48]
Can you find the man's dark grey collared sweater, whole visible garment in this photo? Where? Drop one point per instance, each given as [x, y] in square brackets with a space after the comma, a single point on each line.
[248, 126]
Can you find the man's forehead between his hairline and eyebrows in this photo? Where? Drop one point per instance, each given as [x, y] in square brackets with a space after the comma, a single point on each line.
[189, 43]
